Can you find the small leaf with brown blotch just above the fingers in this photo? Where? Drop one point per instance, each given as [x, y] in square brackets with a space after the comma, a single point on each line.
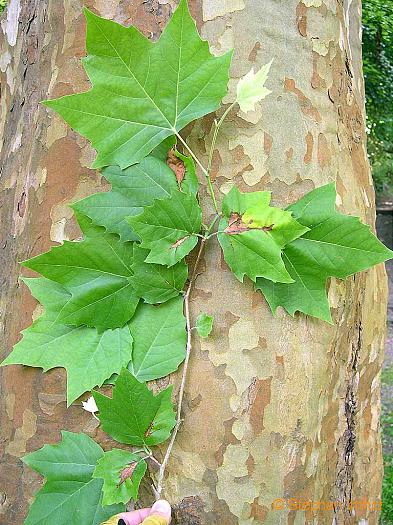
[122, 473]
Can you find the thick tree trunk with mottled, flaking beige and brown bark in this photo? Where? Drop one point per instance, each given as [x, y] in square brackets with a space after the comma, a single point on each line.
[275, 407]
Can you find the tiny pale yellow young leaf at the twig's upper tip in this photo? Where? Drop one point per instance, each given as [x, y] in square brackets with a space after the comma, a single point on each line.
[251, 88]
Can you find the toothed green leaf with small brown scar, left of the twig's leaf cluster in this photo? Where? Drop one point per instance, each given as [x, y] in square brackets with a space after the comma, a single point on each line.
[169, 228]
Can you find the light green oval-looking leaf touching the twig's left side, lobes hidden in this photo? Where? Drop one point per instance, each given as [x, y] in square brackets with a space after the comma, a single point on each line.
[159, 334]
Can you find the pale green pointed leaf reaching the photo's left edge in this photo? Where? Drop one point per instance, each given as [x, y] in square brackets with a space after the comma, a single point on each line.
[89, 356]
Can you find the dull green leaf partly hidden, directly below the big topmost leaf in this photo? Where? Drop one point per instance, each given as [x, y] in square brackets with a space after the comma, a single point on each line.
[132, 189]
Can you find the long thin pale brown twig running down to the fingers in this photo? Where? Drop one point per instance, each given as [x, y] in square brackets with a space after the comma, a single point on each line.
[164, 463]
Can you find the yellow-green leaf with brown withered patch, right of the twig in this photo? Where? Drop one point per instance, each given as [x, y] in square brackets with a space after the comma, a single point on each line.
[253, 235]
